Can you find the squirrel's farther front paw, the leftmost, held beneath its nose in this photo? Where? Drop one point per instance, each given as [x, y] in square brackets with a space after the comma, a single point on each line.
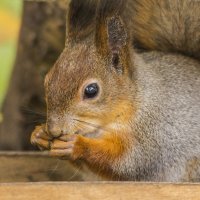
[40, 138]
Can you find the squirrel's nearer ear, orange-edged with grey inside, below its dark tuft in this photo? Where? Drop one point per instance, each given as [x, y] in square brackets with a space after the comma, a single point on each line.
[112, 42]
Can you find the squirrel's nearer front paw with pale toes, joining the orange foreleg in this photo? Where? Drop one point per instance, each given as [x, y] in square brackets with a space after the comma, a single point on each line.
[68, 146]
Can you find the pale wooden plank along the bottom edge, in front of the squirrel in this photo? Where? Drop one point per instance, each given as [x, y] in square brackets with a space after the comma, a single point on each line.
[100, 191]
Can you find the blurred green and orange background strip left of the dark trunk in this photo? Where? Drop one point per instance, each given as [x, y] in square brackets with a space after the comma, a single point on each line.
[10, 15]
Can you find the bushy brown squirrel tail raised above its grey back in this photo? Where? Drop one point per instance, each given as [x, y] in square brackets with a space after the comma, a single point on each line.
[166, 25]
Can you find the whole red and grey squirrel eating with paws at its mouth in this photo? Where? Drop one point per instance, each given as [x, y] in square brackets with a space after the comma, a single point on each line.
[127, 114]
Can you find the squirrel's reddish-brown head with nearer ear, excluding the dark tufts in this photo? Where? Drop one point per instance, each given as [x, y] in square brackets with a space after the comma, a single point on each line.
[89, 90]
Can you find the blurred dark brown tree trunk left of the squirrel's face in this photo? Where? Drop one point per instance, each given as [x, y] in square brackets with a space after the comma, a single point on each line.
[41, 40]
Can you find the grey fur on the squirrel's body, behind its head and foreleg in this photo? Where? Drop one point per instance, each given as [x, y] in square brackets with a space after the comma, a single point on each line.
[166, 125]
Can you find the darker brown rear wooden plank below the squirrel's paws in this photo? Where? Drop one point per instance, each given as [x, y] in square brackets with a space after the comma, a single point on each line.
[34, 167]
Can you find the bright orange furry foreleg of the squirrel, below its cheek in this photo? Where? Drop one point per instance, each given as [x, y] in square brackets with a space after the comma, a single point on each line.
[100, 154]
